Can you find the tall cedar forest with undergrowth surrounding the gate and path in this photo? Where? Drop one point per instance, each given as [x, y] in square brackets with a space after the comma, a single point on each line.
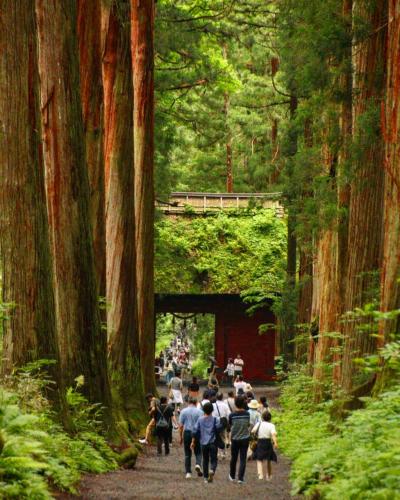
[109, 105]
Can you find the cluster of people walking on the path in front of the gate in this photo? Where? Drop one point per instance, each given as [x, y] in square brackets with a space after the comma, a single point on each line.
[210, 424]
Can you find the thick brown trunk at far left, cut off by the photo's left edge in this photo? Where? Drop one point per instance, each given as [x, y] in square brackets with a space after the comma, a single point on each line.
[30, 333]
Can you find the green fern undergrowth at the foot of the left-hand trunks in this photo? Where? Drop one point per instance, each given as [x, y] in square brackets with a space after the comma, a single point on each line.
[36, 455]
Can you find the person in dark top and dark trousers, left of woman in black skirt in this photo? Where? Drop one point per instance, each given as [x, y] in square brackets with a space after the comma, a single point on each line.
[239, 422]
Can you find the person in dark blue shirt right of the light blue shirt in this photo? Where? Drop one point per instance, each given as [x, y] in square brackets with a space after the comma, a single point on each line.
[206, 433]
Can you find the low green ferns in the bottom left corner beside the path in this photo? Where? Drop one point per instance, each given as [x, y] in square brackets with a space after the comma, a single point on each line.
[36, 452]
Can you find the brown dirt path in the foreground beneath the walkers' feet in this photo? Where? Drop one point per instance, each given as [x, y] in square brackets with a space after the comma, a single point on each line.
[163, 477]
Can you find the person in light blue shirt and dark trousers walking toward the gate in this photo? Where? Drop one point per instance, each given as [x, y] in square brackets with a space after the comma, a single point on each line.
[187, 423]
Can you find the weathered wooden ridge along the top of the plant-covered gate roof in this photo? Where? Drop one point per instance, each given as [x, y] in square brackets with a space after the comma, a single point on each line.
[181, 203]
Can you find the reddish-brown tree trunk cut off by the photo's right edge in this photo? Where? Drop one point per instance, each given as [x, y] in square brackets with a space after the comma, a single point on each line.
[390, 289]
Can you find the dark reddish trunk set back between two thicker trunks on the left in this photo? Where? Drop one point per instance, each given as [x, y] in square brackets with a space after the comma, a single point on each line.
[89, 36]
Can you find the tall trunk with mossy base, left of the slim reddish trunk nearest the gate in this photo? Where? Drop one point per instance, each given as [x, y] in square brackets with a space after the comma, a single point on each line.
[124, 351]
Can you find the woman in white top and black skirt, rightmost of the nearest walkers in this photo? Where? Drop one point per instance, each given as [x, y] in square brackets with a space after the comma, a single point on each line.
[266, 440]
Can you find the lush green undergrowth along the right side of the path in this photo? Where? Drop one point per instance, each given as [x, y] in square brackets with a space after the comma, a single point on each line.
[355, 459]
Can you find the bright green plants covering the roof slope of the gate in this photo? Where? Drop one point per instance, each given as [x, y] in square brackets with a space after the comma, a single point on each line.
[221, 254]
